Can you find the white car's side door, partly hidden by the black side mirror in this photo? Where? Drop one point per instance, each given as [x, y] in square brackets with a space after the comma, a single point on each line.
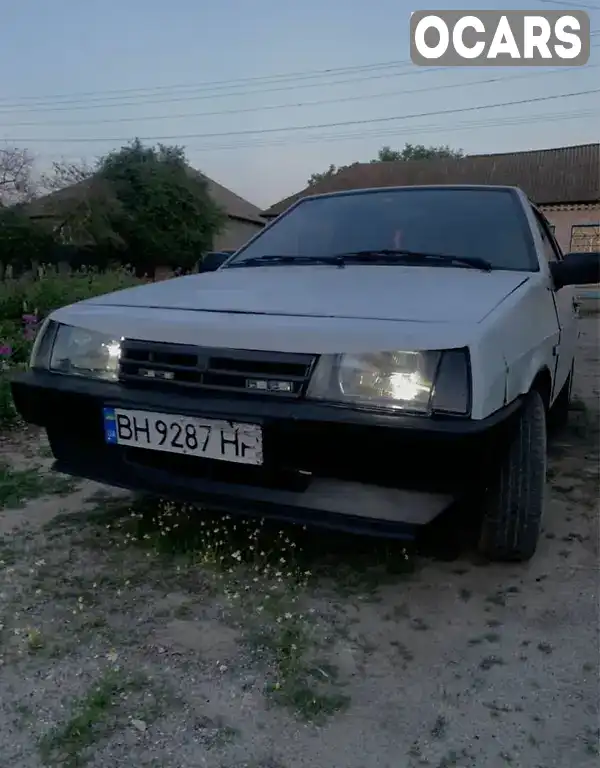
[567, 309]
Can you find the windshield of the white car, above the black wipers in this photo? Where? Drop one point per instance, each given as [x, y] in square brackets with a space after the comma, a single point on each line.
[470, 223]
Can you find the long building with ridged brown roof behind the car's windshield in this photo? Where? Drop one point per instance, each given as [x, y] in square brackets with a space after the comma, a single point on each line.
[564, 182]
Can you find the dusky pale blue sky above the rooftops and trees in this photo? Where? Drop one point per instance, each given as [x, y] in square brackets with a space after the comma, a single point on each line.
[237, 82]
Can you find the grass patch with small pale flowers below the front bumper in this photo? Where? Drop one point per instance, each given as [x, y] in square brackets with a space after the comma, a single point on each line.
[263, 573]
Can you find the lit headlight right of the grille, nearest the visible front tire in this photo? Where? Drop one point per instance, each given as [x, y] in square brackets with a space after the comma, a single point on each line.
[419, 382]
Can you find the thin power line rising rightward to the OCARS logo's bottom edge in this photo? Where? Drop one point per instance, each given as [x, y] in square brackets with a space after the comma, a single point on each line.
[291, 105]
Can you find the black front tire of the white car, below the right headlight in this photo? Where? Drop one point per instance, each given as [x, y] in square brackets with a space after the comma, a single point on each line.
[514, 500]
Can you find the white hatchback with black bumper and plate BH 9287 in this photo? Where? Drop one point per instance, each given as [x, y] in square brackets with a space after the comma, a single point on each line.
[367, 360]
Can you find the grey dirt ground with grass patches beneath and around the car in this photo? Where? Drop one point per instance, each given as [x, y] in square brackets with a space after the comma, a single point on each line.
[138, 634]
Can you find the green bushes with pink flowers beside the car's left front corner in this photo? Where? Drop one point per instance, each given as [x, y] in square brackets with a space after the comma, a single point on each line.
[26, 301]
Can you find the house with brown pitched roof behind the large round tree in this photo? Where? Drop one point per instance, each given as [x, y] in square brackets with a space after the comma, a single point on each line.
[70, 207]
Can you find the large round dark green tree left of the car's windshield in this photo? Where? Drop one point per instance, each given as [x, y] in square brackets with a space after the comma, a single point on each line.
[163, 211]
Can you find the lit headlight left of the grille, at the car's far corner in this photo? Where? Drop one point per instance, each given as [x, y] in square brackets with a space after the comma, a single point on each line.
[78, 352]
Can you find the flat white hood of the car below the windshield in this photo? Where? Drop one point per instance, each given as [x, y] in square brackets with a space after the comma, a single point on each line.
[377, 292]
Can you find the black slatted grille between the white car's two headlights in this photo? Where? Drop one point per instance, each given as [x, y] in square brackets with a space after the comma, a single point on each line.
[160, 365]
